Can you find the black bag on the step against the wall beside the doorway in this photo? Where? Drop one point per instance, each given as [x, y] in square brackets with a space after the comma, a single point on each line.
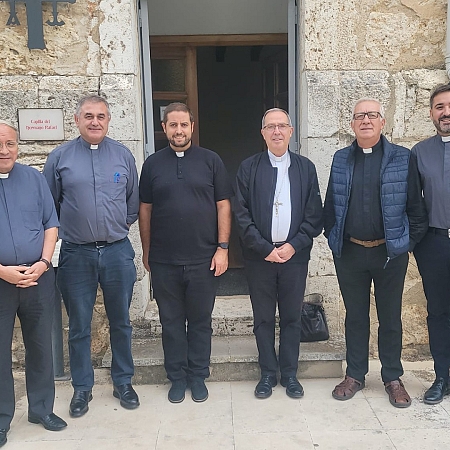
[314, 322]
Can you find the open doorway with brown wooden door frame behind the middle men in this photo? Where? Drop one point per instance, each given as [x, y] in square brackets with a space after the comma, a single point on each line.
[228, 87]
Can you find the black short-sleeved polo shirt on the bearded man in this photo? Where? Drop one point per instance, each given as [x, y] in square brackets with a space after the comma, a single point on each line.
[183, 192]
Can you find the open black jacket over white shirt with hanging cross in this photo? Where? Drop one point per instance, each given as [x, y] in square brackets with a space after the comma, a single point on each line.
[253, 206]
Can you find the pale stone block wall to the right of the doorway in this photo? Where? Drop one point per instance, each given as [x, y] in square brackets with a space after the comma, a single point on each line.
[392, 50]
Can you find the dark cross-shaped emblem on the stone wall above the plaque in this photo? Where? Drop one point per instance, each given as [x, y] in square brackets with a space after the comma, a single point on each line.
[34, 19]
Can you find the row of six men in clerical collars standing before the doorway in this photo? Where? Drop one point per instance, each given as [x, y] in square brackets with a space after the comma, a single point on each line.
[382, 202]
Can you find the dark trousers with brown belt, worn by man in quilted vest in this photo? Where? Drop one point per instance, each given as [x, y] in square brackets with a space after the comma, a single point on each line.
[356, 269]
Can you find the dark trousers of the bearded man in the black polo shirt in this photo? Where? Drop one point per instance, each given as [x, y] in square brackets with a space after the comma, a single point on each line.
[185, 296]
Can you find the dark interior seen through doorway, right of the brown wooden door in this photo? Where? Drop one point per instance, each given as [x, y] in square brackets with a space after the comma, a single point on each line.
[236, 84]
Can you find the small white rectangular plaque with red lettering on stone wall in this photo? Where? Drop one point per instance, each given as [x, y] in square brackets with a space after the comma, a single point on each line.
[41, 124]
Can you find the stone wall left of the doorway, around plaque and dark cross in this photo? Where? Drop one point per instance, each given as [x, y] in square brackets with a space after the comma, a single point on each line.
[95, 52]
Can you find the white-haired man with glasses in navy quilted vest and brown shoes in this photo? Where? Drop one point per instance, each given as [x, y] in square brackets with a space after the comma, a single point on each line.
[374, 216]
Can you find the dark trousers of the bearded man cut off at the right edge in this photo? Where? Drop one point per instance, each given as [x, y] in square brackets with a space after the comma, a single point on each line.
[433, 259]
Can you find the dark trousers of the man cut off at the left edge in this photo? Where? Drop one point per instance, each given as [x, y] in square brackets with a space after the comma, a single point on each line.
[34, 308]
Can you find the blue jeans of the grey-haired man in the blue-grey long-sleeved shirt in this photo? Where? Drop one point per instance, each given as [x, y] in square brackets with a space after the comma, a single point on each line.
[81, 268]
